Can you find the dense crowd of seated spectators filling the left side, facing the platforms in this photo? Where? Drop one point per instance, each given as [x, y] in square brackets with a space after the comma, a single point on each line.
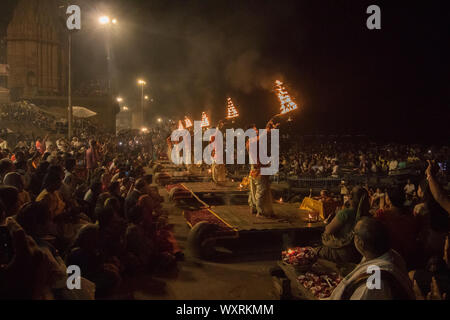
[89, 203]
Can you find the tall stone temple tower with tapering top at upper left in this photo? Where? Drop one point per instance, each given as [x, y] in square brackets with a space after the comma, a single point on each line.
[37, 50]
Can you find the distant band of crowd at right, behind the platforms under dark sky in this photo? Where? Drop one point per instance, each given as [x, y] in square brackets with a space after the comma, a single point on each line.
[335, 159]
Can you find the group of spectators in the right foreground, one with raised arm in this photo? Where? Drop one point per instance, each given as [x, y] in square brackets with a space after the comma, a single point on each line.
[402, 230]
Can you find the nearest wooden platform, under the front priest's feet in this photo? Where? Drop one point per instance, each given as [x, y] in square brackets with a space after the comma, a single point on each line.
[287, 217]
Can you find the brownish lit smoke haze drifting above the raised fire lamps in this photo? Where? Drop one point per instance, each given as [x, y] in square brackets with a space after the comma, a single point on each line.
[193, 55]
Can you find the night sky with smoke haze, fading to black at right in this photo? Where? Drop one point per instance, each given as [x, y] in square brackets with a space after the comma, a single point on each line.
[345, 78]
